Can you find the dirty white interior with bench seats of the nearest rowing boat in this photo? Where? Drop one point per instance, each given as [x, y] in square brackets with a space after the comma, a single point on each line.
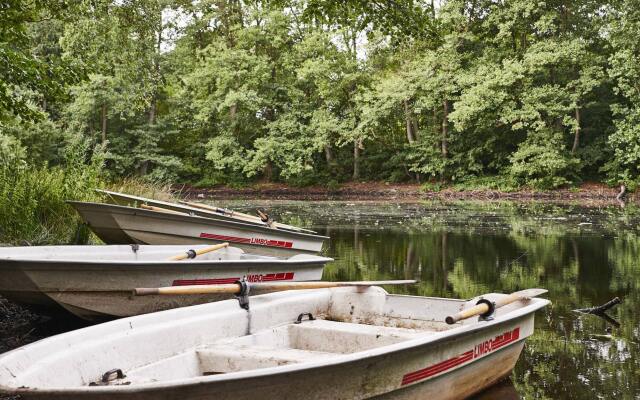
[220, 339]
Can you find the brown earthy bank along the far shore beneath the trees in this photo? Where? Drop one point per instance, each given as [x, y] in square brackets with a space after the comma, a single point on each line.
[591, 194]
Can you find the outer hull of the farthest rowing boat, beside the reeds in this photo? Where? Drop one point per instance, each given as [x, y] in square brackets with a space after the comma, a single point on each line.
[116, 224]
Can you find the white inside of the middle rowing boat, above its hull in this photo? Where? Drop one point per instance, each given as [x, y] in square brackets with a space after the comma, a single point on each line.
[128, 253]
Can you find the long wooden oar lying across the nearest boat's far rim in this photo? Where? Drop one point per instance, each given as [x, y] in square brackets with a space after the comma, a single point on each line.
[234, 288]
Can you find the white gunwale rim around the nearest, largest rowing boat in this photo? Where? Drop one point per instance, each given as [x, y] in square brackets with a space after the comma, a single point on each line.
[534, 305]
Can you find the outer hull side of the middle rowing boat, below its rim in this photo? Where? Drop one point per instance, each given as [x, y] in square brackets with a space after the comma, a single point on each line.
[98, 291]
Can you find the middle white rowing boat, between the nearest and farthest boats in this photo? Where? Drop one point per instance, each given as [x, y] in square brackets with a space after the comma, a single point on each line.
[95, 282]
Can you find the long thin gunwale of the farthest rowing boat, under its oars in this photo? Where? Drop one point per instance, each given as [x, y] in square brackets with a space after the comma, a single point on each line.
[128, 210]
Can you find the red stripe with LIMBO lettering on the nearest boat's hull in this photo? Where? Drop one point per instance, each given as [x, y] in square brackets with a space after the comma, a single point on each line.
[479, 350]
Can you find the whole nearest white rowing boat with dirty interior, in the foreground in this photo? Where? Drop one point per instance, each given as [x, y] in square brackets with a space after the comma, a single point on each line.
[339, 343]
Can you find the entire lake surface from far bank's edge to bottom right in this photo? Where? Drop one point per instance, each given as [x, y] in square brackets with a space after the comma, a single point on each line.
[583, 256]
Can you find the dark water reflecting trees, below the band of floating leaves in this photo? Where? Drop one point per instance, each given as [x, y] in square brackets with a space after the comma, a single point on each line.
[571, 356]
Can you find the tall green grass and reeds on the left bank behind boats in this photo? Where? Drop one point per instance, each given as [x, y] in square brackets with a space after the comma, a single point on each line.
[32, 199]
